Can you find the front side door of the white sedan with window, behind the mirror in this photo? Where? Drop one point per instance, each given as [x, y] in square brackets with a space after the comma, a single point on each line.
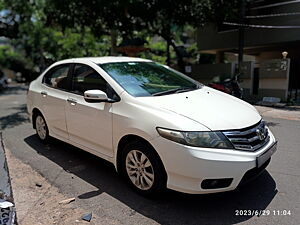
[89, 124]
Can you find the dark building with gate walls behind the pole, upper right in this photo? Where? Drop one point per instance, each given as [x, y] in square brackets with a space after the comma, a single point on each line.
[265, 73]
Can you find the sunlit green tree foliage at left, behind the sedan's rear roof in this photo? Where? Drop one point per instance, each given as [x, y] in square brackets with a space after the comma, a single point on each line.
[41, 44]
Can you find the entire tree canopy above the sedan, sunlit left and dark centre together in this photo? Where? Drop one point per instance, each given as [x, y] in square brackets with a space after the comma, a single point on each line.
[44, 31]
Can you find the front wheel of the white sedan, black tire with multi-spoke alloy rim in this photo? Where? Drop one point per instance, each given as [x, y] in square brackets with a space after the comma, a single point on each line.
[142, 169]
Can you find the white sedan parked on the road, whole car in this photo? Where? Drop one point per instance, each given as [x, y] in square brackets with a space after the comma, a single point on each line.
[160, 128]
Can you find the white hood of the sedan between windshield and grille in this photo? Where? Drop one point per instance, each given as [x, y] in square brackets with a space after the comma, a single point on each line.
[213, 109]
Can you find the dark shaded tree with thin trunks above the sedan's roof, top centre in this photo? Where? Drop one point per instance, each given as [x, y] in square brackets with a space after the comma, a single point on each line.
[129, 17]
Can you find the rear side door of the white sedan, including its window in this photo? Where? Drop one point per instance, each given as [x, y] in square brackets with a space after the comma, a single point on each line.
[54, 96]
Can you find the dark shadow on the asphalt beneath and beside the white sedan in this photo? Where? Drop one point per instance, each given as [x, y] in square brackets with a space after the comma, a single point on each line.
[170, 208]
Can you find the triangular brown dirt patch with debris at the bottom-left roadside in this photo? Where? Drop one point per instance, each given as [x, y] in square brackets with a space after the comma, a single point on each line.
[37, 201]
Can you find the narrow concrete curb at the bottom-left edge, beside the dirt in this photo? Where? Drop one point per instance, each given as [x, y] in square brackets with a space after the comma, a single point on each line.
[7, 208]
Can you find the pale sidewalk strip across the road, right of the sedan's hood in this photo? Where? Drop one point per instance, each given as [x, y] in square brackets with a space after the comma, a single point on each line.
[289, 112]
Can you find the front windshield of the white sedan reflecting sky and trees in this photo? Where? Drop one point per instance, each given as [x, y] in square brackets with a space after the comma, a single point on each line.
[148, 78]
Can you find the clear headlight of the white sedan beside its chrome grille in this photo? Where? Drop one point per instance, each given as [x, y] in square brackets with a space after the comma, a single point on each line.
[205, 139]
